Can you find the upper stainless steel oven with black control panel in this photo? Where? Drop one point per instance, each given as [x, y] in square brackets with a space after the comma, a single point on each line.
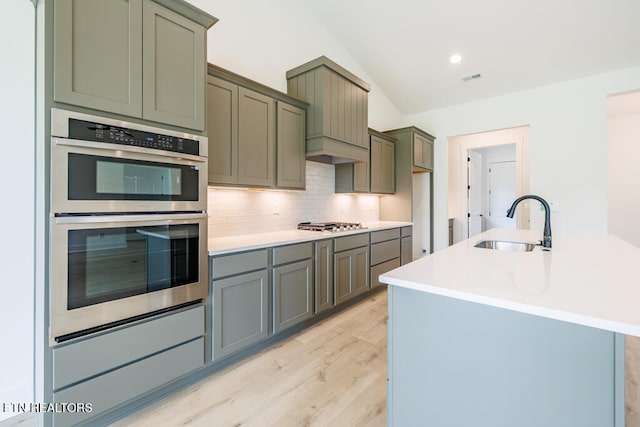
[101, 165]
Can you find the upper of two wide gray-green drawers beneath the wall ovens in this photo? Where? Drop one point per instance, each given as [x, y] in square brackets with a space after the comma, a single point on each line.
[93, 356]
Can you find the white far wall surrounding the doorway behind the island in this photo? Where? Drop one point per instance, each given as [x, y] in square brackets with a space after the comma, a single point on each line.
[567, 144]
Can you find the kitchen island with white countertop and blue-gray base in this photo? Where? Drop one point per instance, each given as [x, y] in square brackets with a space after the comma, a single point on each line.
[499, 338]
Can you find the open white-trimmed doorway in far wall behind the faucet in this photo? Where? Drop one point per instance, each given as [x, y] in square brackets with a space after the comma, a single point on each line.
[487, 171]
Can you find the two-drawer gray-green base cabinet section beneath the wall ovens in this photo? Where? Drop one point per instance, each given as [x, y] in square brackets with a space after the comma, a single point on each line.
[115, 367]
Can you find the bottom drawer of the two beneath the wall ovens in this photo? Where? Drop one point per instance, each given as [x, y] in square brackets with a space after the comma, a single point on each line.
[116, 387]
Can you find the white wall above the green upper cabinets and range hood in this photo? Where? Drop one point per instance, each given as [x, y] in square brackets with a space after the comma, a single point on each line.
[261, 40]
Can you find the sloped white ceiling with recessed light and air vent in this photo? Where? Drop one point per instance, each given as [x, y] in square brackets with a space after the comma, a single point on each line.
[405, 45]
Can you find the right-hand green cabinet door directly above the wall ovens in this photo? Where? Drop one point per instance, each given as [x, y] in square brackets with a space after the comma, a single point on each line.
[174, 65]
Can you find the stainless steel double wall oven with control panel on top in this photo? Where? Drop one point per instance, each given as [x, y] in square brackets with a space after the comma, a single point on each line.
[128, 223]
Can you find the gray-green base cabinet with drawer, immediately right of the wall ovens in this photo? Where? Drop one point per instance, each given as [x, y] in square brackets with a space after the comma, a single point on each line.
[239, 301]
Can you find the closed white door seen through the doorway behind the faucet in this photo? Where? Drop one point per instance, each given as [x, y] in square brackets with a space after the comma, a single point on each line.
[502, 193]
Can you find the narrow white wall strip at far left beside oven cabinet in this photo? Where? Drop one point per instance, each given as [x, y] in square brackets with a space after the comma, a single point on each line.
[17, 171]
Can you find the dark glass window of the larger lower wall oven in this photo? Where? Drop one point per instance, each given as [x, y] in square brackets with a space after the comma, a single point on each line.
[106, 264]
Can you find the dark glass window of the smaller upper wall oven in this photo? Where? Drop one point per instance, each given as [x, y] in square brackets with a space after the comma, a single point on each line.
[92, 177]
